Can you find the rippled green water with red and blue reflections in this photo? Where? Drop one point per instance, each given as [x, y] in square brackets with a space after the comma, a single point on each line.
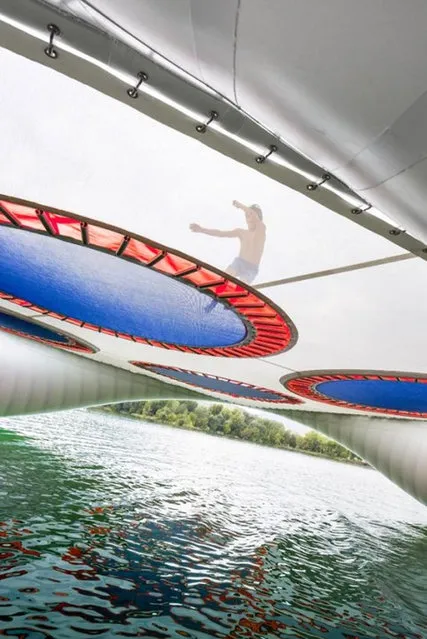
[115, 528]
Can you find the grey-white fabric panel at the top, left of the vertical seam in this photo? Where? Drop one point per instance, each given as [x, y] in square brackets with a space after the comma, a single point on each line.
[196, 35]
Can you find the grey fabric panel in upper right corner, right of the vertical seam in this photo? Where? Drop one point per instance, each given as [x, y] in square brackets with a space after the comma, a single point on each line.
[330, 76]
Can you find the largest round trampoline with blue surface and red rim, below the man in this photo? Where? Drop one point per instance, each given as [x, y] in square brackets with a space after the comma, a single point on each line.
[92, 277]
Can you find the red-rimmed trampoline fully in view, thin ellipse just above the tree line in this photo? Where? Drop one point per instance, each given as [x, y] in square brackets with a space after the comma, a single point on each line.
[217, 384]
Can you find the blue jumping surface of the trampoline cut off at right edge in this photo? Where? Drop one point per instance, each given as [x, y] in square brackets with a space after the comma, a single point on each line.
[393, 395]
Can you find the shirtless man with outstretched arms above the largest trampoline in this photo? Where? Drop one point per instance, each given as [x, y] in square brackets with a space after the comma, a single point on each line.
[252, 241]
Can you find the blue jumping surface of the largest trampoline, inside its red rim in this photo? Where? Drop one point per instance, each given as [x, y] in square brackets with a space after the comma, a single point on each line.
[91, 286]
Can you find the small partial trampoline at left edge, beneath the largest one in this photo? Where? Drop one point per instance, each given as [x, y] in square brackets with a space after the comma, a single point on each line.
[24, 328]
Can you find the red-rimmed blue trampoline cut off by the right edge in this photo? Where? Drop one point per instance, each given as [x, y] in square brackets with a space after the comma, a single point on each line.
[398, 394]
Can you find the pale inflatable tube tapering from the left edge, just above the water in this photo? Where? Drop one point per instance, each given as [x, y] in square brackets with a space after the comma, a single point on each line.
[58, 380]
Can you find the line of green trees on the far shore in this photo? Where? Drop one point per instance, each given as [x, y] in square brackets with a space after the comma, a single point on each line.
[219, 419]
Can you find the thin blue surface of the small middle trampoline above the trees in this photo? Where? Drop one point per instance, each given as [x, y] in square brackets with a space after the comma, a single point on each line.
[218, 385]
